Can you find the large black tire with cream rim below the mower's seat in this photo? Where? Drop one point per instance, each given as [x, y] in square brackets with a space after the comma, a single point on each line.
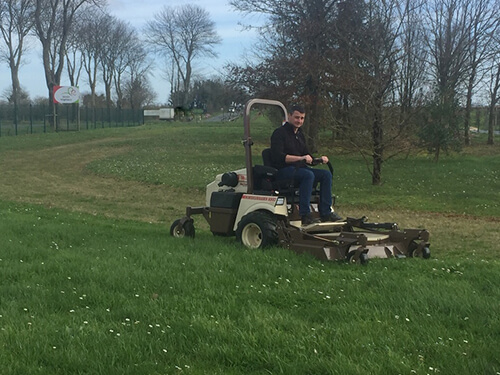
[257, 230]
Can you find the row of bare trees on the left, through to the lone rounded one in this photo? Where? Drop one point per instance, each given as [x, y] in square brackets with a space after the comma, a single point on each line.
[81, 39]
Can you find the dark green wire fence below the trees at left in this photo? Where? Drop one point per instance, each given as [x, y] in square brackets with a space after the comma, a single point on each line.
[31, 119]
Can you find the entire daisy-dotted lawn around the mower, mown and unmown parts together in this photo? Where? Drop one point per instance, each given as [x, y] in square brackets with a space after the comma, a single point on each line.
[91, 282]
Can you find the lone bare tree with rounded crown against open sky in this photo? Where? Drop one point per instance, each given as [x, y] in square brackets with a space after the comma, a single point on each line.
[182, 35]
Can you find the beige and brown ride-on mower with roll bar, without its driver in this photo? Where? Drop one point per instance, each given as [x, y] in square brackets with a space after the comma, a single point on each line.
[261, 211]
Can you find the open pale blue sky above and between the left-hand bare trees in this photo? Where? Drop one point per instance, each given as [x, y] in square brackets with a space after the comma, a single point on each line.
[235, 44]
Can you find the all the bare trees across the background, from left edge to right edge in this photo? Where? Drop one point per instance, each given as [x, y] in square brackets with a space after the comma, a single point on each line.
[384, 73]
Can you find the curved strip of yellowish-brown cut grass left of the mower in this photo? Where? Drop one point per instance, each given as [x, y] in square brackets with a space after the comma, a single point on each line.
[58, 177]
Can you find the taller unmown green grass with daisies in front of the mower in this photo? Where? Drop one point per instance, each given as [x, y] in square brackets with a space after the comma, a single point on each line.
[85, 294]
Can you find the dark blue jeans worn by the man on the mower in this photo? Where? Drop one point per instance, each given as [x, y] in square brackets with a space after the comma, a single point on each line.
[305, 179]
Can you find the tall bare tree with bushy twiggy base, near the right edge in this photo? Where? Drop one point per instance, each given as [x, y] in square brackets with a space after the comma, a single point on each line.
[448, 41]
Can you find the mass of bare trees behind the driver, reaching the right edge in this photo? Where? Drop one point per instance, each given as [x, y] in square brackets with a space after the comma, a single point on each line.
[379, 71]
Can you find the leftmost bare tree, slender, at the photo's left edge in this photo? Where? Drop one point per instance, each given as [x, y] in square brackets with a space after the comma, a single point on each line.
[16, 21]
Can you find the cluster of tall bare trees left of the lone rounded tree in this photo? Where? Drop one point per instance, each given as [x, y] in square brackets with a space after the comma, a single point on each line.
[77, 38]
